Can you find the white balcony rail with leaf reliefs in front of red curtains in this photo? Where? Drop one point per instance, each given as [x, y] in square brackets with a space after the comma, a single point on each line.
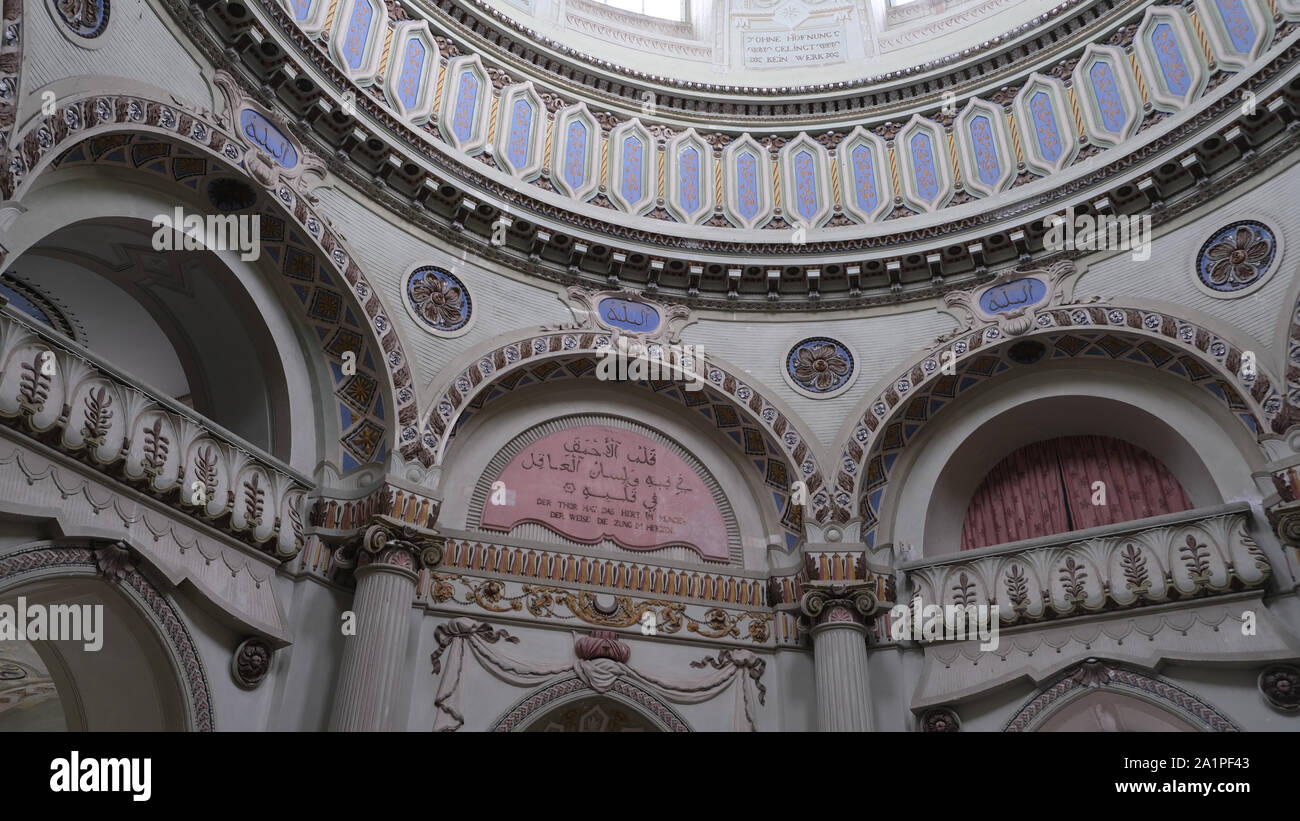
[1173, 558]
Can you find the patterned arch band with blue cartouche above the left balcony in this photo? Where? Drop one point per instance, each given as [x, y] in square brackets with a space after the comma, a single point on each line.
[172, 142]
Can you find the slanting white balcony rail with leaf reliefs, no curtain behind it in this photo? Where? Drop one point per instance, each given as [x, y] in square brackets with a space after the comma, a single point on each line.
[64, 397]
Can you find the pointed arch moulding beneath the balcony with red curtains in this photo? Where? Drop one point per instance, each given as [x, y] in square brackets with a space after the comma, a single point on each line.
[1098, 676]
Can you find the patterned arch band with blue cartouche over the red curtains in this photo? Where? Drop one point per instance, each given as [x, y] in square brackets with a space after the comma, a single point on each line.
[1052, 329]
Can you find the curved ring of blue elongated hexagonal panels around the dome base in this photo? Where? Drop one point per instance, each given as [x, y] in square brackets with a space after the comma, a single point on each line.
[1034, 127]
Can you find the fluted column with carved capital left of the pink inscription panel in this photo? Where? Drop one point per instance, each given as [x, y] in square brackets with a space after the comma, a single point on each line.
[387, 562]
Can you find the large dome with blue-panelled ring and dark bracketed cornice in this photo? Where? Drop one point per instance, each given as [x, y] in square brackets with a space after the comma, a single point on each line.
[567, 164]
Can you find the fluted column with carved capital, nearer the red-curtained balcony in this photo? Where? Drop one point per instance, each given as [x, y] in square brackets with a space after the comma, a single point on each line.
[838, 616]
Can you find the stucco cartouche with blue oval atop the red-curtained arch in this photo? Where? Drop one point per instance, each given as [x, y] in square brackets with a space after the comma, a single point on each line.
[1015, 299]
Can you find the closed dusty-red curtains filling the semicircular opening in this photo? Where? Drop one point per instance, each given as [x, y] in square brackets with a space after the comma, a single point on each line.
[1047, 488]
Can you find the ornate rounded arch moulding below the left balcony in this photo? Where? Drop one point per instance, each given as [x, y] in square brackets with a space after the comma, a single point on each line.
[53, 563]
